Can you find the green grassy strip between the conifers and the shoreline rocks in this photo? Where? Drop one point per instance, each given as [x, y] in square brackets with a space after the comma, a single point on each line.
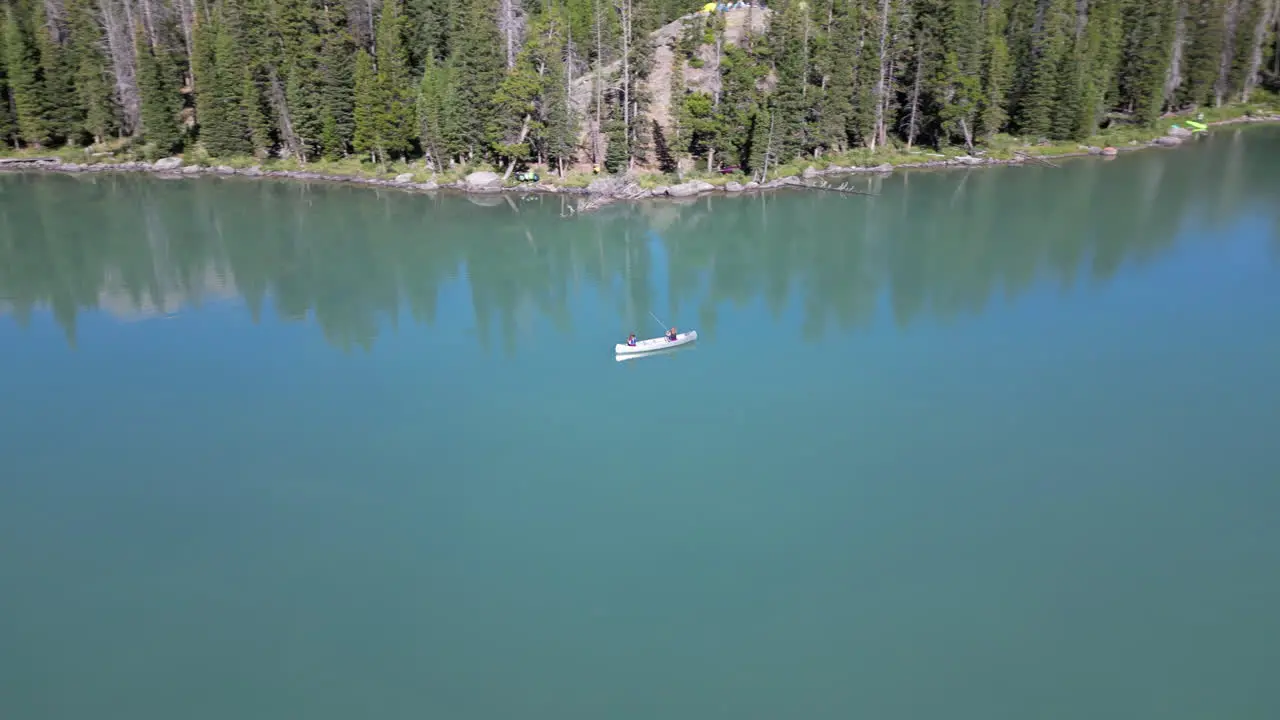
[999, 148]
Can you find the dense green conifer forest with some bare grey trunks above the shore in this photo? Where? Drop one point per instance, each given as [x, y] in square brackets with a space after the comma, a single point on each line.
[611, 84]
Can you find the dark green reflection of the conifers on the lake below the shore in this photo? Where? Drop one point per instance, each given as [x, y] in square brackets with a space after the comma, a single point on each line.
[936, 245]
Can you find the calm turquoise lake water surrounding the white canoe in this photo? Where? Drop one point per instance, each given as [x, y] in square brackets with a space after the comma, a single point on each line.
[993, 445]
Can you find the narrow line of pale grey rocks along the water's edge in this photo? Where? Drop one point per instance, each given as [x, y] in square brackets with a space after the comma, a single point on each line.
[600, 192]
